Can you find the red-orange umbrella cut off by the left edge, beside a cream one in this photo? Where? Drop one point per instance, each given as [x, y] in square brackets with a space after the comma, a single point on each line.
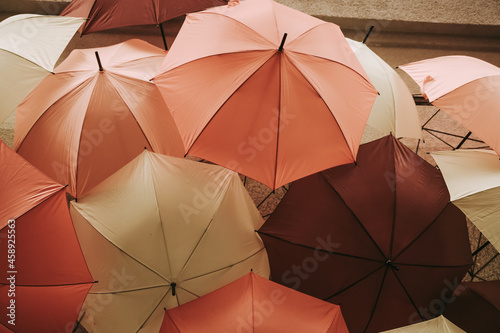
[44, 276]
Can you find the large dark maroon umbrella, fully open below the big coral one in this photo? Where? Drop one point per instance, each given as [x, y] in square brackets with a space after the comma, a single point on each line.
[380, 237]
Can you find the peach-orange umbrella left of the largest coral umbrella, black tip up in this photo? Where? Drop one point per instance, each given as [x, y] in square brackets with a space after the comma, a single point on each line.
[82, 124]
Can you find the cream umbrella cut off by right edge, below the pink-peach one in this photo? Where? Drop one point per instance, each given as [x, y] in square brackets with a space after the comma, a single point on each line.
[473, 179]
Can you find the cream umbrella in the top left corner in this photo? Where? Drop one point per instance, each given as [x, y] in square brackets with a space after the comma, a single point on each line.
[29, 48]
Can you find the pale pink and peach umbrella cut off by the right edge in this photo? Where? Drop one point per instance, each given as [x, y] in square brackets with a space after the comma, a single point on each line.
[466, 88]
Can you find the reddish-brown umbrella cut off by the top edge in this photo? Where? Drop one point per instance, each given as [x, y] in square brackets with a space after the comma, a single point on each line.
[108, 14]
